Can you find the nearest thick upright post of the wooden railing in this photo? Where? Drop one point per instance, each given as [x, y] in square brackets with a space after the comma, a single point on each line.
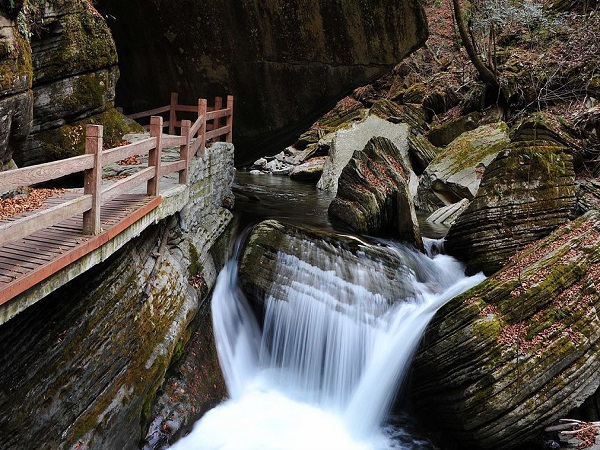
[92, 184]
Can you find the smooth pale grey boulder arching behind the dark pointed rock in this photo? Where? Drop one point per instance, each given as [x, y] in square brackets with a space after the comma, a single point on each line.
[344, 142]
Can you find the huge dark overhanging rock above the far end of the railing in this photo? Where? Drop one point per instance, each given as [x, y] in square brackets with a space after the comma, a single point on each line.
[285, 61]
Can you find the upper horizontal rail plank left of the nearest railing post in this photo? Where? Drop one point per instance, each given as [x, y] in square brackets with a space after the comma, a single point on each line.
[26, 176]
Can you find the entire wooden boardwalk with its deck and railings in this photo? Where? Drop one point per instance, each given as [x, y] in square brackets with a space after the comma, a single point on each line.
[38, 244]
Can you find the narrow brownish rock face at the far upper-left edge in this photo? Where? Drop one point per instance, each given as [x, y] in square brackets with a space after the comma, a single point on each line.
[15, 88]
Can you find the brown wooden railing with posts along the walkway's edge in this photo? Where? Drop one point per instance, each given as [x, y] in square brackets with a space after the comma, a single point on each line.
[191, 140]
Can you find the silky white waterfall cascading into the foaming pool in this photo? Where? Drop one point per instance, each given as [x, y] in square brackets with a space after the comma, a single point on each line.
[334, 348]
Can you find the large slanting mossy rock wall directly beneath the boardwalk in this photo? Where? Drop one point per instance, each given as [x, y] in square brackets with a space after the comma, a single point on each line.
[102, 345]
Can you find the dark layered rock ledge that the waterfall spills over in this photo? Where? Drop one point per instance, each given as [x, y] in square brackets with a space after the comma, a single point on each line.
[272, 243]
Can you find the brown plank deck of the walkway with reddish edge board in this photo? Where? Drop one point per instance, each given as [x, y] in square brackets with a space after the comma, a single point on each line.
[27, 261]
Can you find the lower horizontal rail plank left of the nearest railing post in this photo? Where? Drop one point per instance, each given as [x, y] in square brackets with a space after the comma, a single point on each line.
[43, 219]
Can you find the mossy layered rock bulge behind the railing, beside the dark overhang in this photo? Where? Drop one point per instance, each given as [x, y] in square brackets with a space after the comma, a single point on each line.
[74, 76]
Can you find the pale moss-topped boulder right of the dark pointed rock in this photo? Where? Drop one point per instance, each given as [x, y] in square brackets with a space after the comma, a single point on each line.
[457, 171]
